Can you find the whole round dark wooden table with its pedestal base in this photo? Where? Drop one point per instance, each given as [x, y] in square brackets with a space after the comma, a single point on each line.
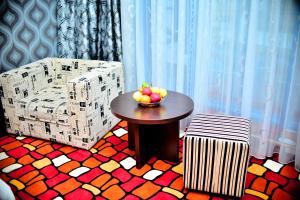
[153, 131]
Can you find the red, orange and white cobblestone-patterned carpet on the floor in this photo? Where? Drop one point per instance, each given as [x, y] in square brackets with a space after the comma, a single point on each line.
[38, 169]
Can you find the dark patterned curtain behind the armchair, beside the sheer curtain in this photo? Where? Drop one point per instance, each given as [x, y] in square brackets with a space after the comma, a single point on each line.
[89, 29]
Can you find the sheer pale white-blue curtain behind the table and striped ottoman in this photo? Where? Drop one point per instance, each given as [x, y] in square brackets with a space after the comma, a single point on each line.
[234, 57]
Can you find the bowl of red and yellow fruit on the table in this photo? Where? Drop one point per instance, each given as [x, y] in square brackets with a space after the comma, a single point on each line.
[148, 96]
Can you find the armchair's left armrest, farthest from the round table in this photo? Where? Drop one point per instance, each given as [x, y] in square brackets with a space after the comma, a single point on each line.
[22, 82]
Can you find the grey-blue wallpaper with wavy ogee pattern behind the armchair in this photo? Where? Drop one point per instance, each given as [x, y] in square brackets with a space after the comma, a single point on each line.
[27, 31]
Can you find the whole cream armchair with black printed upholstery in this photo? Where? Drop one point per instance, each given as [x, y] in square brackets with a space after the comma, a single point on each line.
[63, 100]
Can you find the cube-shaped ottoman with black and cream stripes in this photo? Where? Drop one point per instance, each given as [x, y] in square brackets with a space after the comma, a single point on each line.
[216, 154]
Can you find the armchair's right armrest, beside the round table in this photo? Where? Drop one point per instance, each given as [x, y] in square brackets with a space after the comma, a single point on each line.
[89, 97]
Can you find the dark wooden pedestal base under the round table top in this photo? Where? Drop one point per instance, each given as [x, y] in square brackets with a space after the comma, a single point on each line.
[161, 140]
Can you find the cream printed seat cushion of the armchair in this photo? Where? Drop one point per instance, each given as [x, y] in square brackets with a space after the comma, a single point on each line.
[48, 105]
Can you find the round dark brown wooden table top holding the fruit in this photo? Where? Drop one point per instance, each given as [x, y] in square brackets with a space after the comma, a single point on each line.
[174, 107]
